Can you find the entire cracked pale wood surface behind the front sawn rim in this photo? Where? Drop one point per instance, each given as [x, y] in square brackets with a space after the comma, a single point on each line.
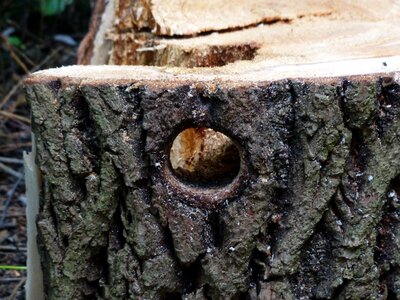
[302, 31]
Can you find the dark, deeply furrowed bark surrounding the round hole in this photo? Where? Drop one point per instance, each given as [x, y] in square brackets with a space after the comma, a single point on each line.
[313, 213]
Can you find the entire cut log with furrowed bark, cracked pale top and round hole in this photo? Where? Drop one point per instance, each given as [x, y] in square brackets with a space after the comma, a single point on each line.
[309, 96]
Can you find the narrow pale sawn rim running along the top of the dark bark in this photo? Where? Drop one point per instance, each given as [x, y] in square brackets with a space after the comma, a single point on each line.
[245, 73]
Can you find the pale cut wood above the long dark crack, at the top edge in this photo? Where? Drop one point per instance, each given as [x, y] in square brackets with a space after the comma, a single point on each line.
[191, 17]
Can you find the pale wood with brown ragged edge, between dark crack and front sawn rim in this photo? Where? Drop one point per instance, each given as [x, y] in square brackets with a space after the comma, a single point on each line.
[302, 42]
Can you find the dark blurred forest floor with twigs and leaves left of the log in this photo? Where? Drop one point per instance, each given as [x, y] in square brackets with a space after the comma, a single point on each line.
[34, 35]
